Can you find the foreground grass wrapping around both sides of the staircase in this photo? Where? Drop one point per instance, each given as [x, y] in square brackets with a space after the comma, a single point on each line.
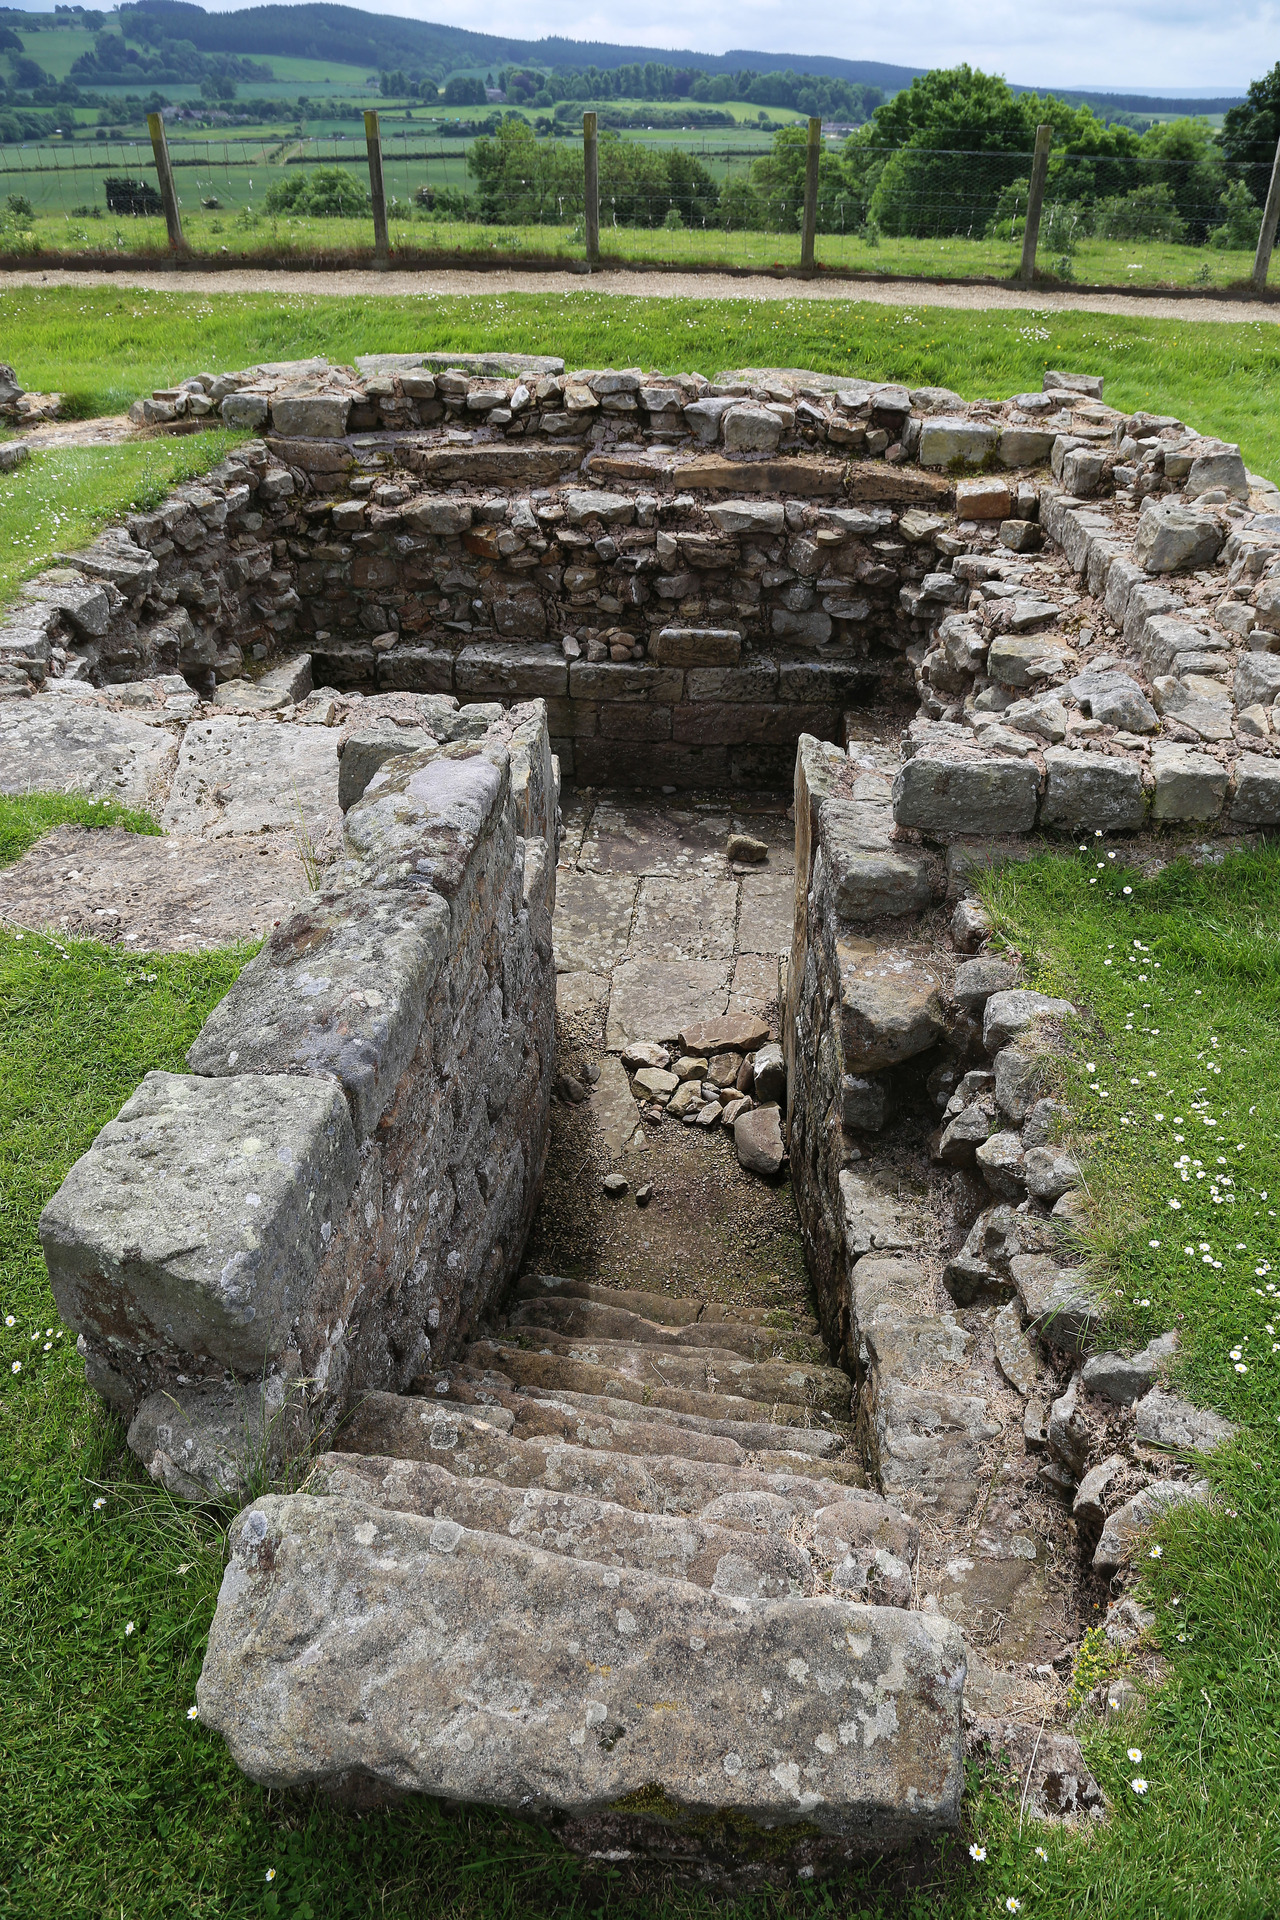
[118, 1804]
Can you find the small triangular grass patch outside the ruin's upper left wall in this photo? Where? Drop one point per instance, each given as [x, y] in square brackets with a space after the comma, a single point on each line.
[57, 502]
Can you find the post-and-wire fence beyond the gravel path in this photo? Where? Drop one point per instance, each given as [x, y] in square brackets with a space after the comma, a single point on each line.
[1185, 218]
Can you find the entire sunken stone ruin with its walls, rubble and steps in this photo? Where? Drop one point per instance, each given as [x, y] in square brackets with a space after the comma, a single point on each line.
[719, 1585]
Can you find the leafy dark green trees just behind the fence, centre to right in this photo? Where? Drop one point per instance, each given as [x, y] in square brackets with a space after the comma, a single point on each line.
[949, 156]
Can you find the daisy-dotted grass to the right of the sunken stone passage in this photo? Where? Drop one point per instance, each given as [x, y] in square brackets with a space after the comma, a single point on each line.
[1179, 978]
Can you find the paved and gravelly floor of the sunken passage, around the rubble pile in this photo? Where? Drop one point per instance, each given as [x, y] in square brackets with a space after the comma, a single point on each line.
[653, 928]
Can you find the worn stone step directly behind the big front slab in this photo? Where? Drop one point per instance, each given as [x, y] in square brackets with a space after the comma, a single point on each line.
[719, 1558]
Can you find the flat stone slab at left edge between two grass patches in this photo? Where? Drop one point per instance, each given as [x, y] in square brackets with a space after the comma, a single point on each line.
[154, 894]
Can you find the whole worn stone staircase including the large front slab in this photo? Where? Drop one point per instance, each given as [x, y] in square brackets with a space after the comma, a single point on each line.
[615, 1568]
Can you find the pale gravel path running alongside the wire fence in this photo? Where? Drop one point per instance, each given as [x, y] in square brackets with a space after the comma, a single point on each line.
[669, 285]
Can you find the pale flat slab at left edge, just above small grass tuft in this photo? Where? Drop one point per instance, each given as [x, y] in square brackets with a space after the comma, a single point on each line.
[60, 744]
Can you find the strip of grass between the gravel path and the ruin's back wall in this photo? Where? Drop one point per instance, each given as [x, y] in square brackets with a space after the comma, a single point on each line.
[110, 345]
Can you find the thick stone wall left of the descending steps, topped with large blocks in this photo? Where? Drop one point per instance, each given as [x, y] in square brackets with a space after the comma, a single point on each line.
[346, 1178]
